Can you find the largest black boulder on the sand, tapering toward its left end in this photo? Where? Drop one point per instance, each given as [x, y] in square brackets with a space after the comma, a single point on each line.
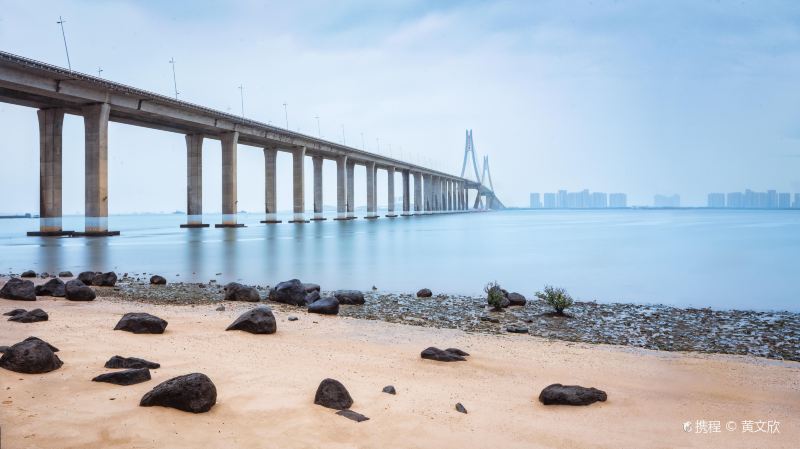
[191, 393]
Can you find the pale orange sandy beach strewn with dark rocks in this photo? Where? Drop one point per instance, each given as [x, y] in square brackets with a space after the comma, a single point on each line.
[266, 386]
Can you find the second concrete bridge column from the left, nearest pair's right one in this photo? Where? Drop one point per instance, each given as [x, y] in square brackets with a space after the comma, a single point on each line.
[95, 121]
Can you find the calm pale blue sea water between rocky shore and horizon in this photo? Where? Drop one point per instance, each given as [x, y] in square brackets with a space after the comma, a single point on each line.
[715, 258]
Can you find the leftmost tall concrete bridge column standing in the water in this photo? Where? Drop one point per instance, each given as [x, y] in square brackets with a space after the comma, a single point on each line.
[51, 123]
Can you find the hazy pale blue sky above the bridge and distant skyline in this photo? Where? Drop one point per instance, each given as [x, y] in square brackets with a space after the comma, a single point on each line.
[642, 97]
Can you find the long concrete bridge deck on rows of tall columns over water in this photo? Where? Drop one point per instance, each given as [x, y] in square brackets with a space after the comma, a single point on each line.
[56, 91]
